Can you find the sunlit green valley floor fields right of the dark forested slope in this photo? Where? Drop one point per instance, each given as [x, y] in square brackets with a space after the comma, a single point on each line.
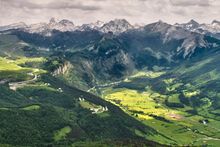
[162, 111]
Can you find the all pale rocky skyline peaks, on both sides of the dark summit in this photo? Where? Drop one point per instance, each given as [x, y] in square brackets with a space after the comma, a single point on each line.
[116, 26]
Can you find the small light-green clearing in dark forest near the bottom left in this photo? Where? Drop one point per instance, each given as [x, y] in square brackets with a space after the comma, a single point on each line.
[62, 133]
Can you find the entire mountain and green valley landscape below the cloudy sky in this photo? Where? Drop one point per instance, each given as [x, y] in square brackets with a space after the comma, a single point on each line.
[63, 85]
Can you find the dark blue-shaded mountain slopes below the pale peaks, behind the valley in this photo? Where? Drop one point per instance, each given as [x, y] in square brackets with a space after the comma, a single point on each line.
[108, 55]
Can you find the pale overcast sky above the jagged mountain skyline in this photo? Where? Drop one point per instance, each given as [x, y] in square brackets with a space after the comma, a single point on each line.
[86, 11]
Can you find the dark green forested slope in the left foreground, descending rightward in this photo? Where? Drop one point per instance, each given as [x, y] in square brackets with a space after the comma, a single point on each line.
[46, 112]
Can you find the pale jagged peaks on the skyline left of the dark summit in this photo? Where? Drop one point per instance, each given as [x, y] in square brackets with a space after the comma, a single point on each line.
[117, 26]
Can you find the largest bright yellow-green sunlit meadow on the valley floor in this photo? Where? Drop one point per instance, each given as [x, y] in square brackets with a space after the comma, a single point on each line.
[139, 104]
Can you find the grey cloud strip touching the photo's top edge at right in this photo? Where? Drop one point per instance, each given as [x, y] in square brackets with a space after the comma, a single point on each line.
[185, 3]
